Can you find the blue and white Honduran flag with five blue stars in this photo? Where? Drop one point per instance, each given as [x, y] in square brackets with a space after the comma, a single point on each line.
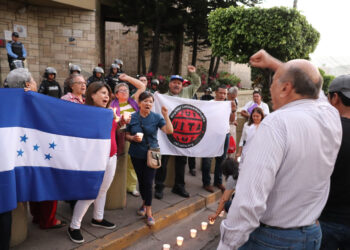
[50, 149]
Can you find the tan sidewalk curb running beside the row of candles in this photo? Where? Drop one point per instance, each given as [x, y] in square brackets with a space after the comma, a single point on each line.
[128, 235]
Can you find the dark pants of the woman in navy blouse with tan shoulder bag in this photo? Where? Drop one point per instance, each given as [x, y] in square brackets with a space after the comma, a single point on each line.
[145, 176]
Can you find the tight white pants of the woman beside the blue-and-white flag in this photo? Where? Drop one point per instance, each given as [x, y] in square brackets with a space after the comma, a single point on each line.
[99, 204]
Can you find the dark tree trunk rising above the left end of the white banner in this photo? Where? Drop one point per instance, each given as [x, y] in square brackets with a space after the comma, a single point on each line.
[153, 67]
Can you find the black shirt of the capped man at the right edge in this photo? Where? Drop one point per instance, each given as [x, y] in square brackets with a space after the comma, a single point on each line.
[337, 208]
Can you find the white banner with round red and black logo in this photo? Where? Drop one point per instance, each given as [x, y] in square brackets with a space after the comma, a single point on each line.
[200, 127]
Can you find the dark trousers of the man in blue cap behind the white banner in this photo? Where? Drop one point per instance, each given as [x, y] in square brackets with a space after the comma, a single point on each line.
[180, 163]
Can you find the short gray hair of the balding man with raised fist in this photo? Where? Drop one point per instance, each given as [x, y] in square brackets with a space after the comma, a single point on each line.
[302, 82]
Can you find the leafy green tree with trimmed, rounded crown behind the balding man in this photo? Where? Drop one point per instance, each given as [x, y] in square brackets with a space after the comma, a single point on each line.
[237, 33]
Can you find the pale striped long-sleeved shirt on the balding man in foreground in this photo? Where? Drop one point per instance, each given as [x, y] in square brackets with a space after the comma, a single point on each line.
[285, 177]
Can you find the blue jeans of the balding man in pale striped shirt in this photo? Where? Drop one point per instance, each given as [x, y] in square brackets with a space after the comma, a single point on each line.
[305, 238]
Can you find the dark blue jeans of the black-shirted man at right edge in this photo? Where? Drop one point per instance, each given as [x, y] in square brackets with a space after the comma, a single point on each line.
[335, 236]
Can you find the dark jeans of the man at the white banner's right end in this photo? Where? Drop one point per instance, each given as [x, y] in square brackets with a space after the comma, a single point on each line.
[206, 164]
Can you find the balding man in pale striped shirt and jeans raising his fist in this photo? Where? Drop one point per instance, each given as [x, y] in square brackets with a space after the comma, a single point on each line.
[284, 180]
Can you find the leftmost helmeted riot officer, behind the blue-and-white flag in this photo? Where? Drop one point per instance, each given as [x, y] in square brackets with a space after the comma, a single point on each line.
[49, 86]
